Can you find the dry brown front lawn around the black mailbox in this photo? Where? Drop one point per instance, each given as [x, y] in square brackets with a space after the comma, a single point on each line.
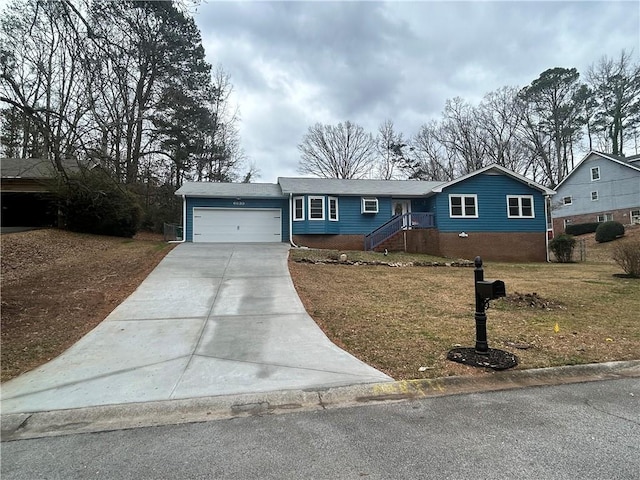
[403, 320]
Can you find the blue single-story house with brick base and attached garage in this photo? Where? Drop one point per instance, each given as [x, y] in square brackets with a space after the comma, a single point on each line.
[493, 212]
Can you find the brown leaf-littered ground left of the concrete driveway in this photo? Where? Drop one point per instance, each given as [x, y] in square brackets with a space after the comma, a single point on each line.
[57, 286]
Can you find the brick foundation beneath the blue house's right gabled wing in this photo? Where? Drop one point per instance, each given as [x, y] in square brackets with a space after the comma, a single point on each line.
[498, 246]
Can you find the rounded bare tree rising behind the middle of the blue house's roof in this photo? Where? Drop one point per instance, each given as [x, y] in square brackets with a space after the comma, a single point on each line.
[341, 151]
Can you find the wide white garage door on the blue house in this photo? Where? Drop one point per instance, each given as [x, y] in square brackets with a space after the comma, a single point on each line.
[219, 225]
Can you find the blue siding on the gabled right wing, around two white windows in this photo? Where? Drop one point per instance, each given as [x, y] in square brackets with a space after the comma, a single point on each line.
[491, 191]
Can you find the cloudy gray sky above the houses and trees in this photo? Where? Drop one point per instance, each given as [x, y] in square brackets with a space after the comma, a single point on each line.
[293, 64]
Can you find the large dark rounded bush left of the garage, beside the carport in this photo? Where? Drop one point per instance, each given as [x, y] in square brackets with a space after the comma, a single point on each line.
[91, 202]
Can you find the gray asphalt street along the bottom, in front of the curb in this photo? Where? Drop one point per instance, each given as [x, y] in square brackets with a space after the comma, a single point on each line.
[584, 430]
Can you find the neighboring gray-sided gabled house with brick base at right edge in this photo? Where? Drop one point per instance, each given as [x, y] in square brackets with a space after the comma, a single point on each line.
[601, 187]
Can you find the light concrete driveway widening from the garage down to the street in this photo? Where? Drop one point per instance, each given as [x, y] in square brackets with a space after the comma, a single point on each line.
[211, 319]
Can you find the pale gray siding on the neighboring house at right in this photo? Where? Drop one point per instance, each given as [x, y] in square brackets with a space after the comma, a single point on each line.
[618, 190]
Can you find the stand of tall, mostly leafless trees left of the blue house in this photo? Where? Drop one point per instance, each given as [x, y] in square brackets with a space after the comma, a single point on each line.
[124, 84]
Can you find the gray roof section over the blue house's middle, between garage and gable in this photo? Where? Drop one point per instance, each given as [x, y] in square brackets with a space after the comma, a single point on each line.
[334, 186]
